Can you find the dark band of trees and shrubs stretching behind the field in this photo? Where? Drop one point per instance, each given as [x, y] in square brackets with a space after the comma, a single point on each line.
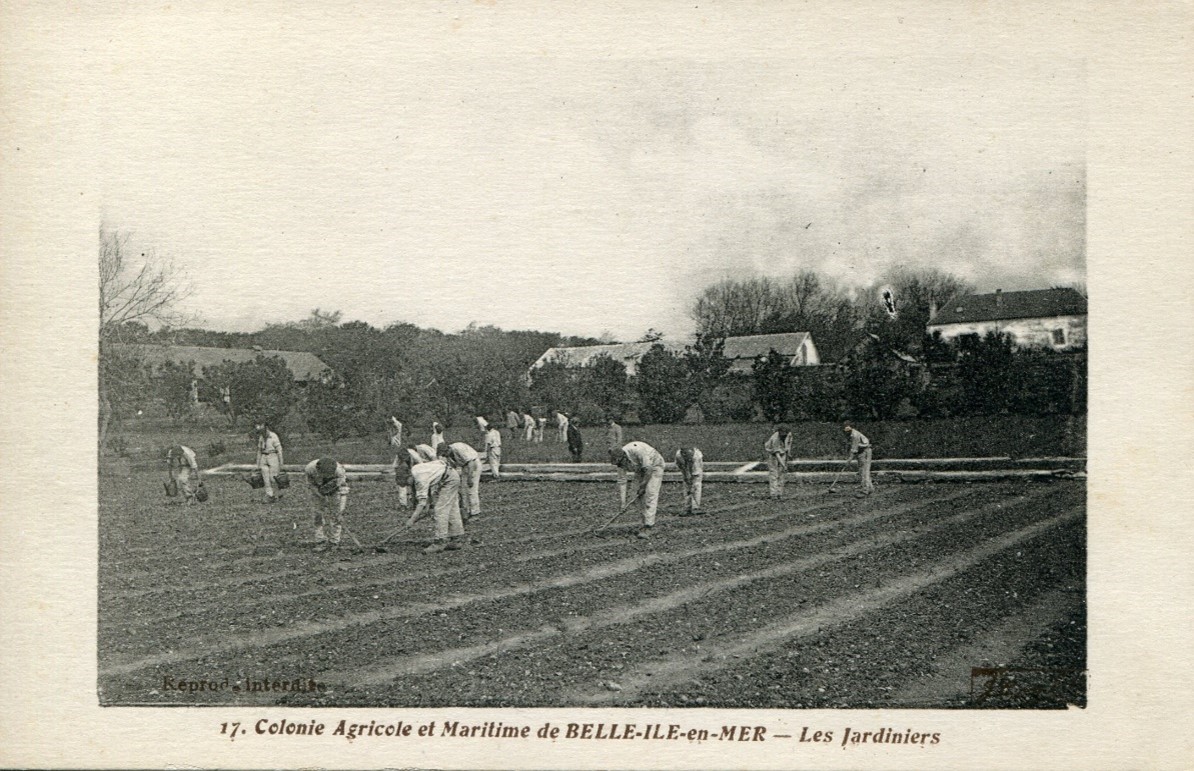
[883, 367]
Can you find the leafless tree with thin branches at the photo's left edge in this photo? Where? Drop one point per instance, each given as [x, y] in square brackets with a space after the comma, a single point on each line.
[136, 289]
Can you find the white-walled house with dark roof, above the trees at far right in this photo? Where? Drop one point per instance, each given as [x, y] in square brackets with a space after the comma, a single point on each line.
[1042, 318]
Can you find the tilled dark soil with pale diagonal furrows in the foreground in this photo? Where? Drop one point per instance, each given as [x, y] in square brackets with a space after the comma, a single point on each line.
[817, 601]
